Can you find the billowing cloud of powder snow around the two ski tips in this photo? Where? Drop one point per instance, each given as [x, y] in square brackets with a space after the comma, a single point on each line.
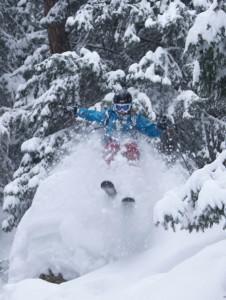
[72, 217]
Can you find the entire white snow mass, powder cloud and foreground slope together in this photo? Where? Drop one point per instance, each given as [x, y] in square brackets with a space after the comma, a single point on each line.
[73, 228]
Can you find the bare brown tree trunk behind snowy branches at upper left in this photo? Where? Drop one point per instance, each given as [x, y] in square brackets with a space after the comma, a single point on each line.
[58, 38]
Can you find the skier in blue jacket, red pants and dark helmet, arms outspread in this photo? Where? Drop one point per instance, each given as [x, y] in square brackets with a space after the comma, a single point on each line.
[121, 122]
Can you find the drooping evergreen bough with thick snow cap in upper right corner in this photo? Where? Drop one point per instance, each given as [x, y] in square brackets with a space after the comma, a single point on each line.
[205, 46]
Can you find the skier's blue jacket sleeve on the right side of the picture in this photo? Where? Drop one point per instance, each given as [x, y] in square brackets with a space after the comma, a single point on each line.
[146, 127]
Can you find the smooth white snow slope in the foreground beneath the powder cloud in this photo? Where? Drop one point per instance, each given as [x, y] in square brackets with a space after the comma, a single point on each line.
[176, 268]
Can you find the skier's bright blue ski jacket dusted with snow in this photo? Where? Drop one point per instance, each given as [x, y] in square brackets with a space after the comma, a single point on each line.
[117, 125]
